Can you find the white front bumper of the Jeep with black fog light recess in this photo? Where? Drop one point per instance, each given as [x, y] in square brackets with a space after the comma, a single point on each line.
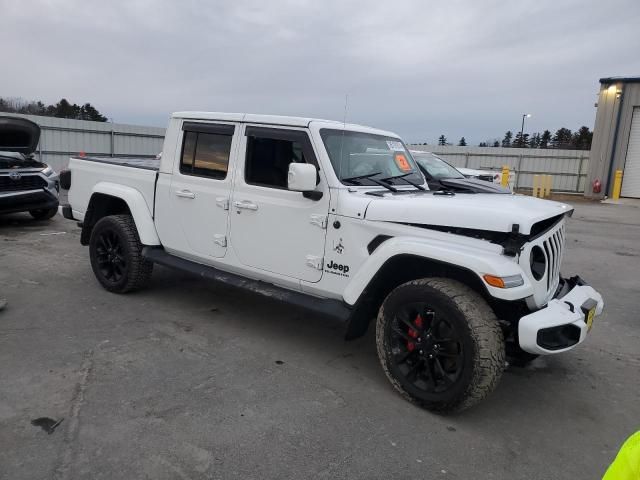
[562, 324]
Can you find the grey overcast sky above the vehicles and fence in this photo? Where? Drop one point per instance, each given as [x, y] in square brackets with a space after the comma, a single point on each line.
[419, 68]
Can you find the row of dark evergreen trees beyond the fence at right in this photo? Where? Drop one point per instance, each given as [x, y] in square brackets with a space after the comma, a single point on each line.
[563, 138]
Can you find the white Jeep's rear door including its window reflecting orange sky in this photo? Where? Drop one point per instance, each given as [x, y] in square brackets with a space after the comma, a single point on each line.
[201, 188]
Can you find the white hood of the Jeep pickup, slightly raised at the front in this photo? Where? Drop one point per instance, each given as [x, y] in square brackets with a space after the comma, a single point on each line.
[480, 211]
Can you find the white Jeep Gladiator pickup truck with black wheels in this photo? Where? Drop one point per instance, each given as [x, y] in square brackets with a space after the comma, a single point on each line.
[337, 218]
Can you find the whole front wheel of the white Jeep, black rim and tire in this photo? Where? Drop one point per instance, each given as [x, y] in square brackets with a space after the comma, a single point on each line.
[440, 344]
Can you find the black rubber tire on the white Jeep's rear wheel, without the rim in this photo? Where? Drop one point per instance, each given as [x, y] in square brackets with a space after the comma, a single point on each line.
[137, 270]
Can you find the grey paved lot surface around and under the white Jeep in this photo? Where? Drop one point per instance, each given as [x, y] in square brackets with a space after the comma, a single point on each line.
[190, 379]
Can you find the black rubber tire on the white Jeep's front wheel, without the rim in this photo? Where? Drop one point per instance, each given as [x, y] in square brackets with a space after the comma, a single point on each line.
[480, 335]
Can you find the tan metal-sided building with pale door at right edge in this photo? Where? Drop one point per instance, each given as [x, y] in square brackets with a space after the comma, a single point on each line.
[616, 137]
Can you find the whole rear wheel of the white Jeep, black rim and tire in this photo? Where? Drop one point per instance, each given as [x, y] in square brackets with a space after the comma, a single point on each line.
[116, 255]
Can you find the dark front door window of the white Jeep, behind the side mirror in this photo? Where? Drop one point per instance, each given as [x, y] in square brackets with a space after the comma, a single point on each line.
[268, 159]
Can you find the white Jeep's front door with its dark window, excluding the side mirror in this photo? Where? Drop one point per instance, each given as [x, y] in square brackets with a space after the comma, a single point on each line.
[272, 228]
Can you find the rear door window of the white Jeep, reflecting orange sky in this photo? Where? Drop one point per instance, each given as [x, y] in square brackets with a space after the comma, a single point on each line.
[205, 154]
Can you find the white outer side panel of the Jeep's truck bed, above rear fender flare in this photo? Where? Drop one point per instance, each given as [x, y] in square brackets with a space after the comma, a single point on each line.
[99, 174]
